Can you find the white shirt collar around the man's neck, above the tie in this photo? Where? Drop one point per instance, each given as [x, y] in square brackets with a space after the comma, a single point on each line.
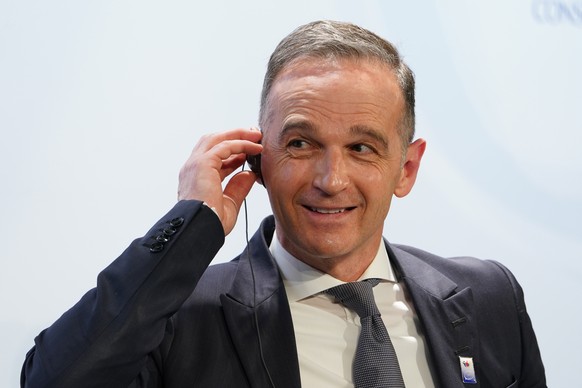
[301, 280]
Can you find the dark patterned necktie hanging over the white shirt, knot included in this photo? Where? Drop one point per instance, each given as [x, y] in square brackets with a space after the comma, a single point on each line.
[375, 362]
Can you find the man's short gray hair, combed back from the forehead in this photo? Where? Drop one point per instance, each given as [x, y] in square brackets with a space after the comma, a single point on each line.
[340, 40]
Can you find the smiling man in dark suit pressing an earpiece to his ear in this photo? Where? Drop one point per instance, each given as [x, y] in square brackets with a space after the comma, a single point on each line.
[337, 142]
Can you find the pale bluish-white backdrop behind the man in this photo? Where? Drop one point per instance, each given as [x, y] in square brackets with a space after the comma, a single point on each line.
[101, 103]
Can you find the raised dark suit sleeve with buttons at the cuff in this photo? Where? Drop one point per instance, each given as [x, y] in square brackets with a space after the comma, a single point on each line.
[110, 337]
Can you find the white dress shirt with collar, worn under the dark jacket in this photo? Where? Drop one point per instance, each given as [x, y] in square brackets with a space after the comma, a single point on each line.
[327, 333]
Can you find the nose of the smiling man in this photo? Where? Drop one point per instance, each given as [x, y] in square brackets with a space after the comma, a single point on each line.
[331, 173]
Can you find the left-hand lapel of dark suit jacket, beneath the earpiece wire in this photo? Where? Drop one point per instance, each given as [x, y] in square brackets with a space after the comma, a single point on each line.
[260, 322]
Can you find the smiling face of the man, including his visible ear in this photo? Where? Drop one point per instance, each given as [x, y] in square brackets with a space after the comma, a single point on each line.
[332, 158]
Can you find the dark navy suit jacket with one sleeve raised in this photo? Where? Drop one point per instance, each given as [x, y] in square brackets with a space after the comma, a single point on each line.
[160, 317]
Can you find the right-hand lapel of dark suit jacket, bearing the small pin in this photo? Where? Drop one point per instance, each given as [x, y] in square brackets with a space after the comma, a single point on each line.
[446, 315]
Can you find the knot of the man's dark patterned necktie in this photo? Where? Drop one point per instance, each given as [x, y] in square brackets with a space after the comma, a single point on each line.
[357, 296]
